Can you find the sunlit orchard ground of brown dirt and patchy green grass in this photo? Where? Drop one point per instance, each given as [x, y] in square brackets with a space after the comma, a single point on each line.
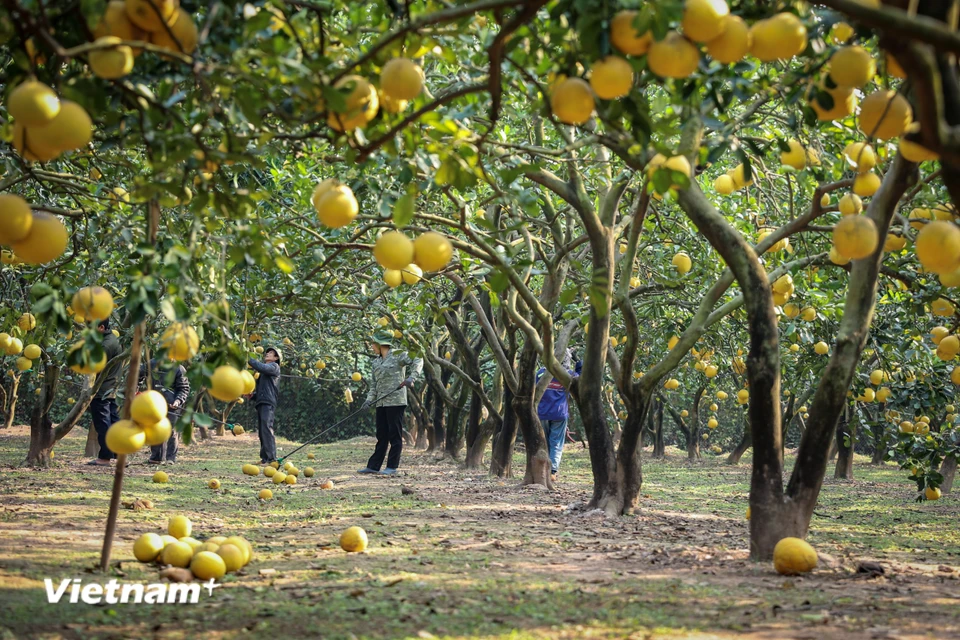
[455, 554]
